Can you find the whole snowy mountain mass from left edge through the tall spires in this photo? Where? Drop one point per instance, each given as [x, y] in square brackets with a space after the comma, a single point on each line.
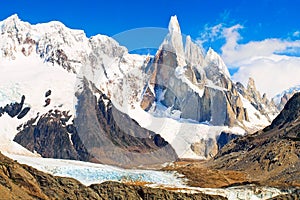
[114, 107]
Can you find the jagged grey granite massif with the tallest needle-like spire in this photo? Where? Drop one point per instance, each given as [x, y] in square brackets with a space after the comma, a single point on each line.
[200, 90]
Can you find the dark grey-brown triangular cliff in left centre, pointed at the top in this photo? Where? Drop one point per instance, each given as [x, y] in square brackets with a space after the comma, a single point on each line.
[113, 137]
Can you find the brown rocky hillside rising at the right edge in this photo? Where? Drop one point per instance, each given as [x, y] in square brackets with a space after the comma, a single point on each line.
[270, 156]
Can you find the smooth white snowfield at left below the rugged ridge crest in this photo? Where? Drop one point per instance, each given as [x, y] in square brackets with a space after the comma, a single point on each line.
[31, 77]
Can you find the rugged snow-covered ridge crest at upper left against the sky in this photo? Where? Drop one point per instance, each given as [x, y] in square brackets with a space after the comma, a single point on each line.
[53, 42]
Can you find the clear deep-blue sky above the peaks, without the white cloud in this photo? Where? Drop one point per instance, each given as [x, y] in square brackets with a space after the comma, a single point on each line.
[261, 18]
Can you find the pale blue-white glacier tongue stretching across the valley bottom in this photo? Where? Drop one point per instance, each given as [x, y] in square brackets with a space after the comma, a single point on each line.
[91, 173]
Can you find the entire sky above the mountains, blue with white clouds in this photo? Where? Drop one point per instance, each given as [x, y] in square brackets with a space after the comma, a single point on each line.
[264, 31]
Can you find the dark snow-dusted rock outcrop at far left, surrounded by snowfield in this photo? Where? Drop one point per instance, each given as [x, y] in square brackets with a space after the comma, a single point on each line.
[51, 137]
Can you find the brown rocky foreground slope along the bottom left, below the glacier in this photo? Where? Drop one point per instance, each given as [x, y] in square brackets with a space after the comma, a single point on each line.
[24, 182]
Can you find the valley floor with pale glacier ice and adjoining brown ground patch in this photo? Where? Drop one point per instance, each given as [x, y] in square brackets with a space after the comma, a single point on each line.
[195, 177]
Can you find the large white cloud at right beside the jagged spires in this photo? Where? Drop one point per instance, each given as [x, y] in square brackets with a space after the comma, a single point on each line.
[267, 61]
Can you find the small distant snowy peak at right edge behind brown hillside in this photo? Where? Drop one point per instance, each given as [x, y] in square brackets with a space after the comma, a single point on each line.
[281, 99]
